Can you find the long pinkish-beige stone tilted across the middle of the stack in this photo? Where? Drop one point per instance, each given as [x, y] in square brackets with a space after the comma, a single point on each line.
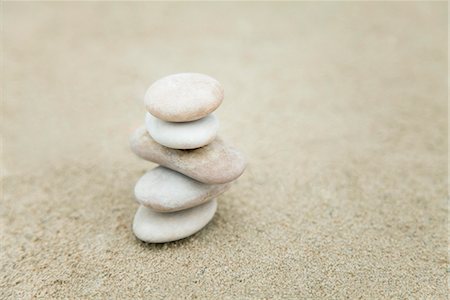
[213, 164]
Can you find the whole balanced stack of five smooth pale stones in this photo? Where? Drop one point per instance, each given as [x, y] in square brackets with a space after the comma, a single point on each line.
[195, 166]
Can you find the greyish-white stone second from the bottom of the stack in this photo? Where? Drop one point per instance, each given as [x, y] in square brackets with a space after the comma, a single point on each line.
[165, 190]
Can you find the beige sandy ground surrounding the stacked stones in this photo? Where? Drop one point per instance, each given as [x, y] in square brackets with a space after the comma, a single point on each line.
[341, 109]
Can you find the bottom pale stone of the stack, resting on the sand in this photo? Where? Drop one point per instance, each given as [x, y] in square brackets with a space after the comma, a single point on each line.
[155, 227]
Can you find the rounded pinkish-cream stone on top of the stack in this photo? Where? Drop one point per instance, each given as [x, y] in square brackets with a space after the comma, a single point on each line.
[183, 97]
